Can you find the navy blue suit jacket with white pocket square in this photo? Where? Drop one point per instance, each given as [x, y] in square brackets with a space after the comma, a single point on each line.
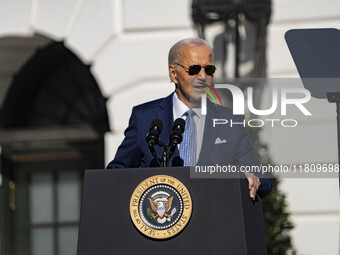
[134, 152]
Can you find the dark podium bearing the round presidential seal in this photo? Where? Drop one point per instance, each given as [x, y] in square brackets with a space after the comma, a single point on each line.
[223, 218]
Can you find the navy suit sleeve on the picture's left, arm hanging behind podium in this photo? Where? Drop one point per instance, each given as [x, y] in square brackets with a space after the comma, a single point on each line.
[128, 154]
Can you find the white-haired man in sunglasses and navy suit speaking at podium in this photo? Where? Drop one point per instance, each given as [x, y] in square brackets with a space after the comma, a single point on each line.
[191, 69]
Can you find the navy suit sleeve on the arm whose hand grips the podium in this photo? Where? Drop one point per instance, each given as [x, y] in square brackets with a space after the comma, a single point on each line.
[246, 156]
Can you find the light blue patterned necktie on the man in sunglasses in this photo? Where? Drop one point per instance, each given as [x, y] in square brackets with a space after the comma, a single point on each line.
[187, 148]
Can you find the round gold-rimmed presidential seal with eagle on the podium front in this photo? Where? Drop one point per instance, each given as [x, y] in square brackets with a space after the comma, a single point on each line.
[160, 207]
